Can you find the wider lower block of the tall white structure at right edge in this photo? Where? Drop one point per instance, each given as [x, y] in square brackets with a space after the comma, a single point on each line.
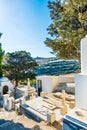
[81, 91]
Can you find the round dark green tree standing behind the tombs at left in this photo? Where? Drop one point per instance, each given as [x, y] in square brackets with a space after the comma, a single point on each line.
[19, 65]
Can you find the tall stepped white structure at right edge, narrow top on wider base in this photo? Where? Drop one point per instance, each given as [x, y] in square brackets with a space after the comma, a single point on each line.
[81, 79]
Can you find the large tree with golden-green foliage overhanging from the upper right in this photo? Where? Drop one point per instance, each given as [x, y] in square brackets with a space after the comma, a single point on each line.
[69, 26]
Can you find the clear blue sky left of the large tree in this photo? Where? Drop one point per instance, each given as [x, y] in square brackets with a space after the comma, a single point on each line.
[23, 24]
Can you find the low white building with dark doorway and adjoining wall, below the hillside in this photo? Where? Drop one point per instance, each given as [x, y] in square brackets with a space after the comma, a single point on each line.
[48, 84]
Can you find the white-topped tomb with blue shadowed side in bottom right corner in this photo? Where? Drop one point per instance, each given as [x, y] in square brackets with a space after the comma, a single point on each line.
[76, 119]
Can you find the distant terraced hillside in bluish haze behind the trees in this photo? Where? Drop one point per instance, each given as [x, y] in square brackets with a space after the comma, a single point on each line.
[53, 66]
